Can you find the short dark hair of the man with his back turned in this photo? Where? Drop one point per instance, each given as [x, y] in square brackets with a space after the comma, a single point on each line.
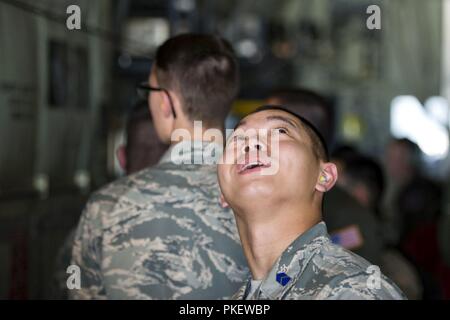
[203, 69]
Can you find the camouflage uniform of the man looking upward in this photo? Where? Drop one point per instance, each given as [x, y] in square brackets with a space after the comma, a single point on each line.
[312, 267]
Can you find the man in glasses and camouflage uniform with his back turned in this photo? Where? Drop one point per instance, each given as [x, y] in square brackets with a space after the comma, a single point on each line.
[160, 233]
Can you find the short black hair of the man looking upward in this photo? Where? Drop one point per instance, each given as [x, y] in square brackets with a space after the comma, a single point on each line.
[319, 144]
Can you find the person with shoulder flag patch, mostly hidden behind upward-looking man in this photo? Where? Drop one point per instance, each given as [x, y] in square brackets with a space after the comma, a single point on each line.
[350, 224]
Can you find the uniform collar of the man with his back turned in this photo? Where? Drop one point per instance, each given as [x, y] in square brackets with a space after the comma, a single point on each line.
[192, 152]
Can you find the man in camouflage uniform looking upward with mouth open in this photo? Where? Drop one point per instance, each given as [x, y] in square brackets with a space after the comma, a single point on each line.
[279, 213]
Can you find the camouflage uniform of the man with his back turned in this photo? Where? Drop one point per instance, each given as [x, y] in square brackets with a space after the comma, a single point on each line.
[159, 234]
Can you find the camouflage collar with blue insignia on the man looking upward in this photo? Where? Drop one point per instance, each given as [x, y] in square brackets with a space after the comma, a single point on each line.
[290, 265]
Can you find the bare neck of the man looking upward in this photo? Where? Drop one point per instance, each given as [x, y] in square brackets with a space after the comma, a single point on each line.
[266, 235]
